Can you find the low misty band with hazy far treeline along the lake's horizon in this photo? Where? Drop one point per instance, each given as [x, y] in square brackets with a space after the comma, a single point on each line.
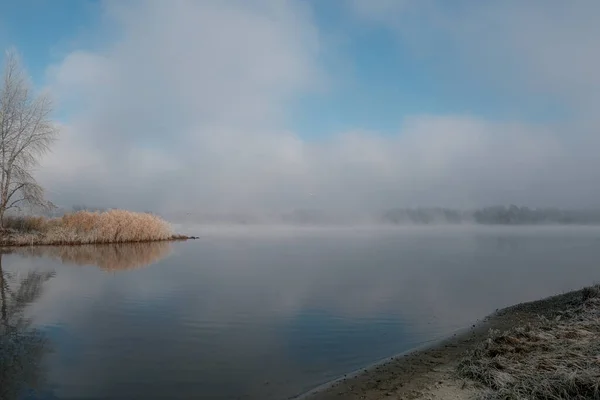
[496, 215]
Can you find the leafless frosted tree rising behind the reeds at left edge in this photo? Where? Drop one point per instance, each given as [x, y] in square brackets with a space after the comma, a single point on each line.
[26, 133]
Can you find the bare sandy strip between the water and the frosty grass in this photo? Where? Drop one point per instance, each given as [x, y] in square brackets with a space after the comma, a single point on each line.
[430, 371]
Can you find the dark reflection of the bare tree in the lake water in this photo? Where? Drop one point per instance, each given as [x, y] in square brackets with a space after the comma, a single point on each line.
[21, 347]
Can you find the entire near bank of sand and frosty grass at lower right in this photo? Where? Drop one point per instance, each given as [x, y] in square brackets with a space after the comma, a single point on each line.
[490, 360]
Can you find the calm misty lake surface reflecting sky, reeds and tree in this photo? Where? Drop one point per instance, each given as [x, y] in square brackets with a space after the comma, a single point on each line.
[262, 313]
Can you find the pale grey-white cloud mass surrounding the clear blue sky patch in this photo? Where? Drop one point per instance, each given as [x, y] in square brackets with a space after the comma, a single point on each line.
[185, 107]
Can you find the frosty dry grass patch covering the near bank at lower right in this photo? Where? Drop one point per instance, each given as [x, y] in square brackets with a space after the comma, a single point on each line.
[557, 358]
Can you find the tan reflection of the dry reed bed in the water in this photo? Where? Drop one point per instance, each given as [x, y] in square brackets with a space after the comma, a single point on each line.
[110, 257]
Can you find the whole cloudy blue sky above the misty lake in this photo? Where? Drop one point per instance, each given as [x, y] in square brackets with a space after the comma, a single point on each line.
[273, 105]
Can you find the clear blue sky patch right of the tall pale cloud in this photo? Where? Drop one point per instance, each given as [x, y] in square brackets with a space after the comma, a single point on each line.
[383, 80]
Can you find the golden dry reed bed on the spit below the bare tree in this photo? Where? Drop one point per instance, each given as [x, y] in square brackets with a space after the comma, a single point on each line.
[84, 227]
